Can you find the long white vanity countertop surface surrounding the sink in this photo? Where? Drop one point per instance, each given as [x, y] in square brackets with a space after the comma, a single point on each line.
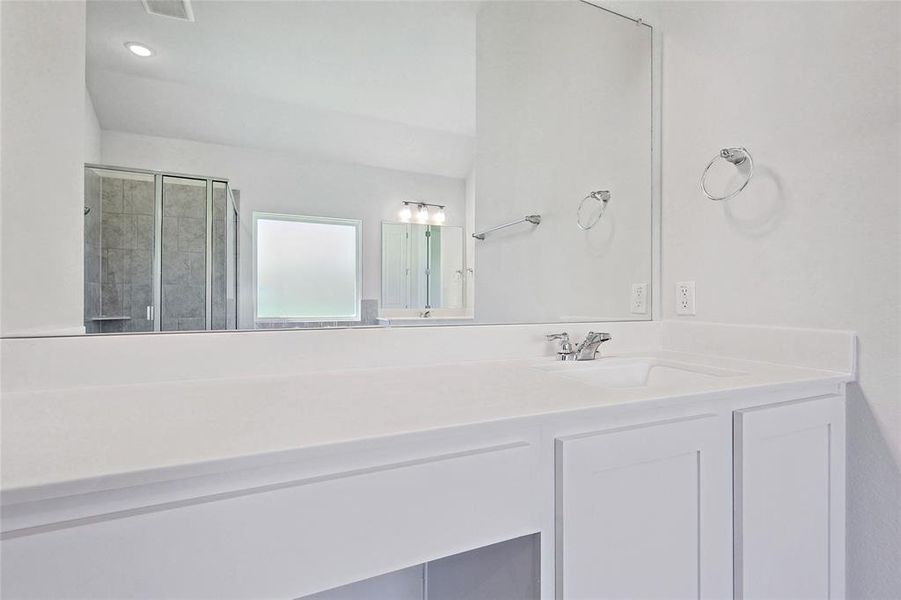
[58, 436]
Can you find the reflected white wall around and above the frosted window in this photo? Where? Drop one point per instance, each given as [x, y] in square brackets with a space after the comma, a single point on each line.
[279, 182]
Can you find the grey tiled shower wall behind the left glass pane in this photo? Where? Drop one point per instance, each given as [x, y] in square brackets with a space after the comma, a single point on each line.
[126, 254]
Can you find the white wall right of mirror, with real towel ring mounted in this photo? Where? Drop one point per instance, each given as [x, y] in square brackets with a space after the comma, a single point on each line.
[812, 89]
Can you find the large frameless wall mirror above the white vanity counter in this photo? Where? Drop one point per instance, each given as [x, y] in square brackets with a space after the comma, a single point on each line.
[309, 164]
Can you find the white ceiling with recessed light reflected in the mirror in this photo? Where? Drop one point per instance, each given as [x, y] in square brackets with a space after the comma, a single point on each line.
[387, 84]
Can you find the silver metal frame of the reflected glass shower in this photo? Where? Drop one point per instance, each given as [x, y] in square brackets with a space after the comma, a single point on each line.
[158, 177]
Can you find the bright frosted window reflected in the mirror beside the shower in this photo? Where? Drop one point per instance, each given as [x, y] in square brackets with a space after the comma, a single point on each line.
[307, 268]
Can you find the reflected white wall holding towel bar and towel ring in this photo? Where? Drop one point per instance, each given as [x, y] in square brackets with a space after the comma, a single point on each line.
[564, 108]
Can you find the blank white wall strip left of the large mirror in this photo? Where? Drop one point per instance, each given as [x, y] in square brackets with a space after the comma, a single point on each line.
[42, 191]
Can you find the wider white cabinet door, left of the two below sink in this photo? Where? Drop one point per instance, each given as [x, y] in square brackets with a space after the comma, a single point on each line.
[644, 512]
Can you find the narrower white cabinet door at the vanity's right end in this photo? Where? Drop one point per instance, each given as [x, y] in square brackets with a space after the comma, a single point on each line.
[790, 500]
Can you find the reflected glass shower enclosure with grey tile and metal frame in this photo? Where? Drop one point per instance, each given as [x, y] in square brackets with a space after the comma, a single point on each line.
[160, 252]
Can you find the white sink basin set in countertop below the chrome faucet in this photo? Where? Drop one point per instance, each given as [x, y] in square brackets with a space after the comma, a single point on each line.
[637, 372]
